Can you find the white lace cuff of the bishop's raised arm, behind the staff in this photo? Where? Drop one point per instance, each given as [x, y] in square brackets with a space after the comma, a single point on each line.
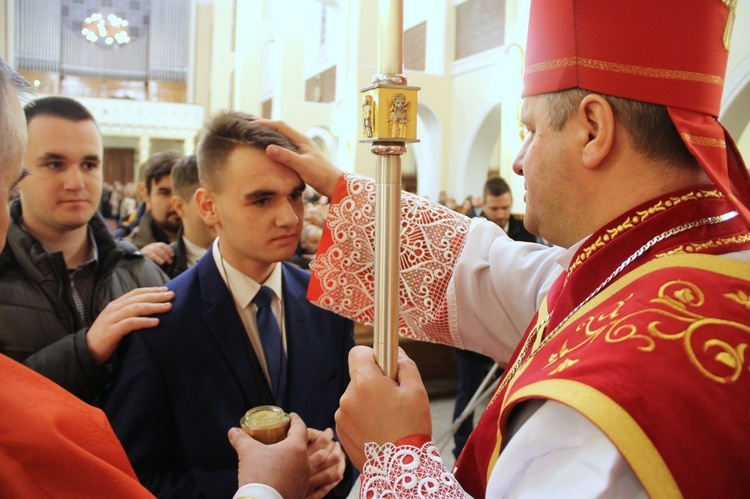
[432, 238]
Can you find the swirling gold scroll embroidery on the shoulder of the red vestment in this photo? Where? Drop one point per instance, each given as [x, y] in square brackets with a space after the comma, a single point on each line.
[678, 313]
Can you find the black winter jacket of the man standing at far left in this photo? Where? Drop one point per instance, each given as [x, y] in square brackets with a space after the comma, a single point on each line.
[39, 325]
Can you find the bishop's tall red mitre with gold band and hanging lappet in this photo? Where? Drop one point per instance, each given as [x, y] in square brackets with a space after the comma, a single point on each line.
[668, 52]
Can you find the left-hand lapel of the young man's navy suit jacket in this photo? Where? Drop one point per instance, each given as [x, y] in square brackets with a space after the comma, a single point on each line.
[224, 324]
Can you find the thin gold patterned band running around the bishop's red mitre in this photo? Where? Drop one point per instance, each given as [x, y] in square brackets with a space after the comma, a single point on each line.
[615, 67]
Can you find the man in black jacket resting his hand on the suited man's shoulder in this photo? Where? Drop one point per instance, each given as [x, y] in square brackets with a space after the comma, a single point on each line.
[69, 291]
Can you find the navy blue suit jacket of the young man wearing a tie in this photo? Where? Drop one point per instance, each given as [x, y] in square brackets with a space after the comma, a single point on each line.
[179, 387]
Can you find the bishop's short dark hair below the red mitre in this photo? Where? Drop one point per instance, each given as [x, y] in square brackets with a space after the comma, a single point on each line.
[649, 126]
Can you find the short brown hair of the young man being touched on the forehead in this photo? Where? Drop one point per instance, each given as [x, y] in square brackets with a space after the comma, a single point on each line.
[222, 134]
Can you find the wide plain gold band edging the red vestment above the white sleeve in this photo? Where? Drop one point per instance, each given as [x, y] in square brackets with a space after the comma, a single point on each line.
[629, 438]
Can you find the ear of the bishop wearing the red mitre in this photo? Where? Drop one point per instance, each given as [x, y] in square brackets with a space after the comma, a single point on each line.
[598, 121]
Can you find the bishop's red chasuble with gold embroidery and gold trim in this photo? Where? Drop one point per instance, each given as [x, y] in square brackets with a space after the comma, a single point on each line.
[656, 359]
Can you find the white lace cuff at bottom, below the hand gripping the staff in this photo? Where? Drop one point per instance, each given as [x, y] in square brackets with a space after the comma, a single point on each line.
[406, 471]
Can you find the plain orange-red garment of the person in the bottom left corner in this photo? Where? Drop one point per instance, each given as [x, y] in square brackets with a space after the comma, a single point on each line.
[52, 444]
